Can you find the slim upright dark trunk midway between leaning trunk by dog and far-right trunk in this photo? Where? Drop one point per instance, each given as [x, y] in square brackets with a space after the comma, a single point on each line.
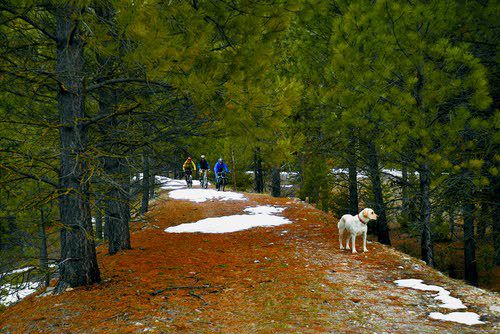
[426, 246]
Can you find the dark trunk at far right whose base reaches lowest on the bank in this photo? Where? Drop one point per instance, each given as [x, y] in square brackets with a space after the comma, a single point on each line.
[470, 272]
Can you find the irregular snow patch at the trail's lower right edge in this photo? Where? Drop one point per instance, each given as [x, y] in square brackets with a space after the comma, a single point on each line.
[443, 295]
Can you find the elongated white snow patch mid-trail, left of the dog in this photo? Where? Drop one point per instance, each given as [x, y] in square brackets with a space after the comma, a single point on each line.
[260, 216]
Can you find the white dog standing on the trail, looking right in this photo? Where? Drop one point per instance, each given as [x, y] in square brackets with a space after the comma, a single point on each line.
[354, 226]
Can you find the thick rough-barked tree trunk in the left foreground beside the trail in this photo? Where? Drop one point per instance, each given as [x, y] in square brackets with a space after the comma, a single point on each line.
[78, 264]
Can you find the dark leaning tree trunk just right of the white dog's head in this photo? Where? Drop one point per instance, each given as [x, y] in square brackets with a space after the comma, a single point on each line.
[380, 209]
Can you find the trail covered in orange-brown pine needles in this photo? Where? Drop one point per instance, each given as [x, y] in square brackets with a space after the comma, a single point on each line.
[289, 278]
